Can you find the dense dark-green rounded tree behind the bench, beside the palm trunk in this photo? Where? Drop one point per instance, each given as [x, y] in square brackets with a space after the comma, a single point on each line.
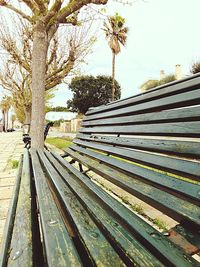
[90, 91]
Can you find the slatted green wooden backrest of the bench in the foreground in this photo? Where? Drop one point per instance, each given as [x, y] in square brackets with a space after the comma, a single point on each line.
[151, 146]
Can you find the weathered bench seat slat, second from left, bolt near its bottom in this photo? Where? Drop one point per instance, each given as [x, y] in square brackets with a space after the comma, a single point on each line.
[21, 249]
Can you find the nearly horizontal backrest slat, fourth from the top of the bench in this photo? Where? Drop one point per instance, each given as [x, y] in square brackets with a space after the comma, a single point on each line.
[171, 129]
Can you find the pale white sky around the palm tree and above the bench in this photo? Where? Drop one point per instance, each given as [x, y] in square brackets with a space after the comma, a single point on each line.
[162, 33]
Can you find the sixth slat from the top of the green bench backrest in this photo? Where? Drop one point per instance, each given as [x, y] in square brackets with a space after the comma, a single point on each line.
[163, 162]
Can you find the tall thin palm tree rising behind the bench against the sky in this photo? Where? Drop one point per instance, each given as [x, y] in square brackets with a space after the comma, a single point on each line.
[116, 34]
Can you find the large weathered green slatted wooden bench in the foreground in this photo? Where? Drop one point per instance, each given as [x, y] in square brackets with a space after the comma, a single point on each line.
[69, 214]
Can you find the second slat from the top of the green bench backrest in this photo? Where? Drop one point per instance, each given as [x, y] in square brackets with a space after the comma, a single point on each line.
[170, 102]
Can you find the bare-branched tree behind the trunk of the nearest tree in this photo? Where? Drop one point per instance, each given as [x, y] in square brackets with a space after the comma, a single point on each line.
[64, 56]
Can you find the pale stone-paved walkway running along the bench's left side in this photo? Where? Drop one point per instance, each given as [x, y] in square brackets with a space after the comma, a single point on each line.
[11, 147]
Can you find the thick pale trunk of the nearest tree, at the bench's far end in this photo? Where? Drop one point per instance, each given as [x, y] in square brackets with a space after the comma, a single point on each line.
[40, 47]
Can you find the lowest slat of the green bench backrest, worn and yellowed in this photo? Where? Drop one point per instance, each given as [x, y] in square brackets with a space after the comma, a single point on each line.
[173, 206]
